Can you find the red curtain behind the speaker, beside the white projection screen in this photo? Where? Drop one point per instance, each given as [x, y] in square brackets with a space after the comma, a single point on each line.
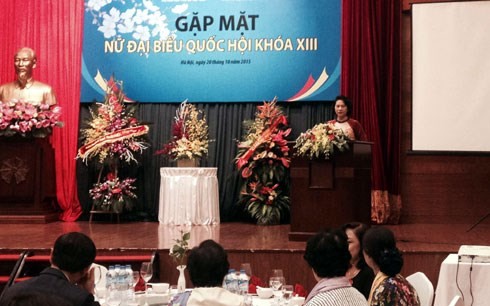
[371, 77]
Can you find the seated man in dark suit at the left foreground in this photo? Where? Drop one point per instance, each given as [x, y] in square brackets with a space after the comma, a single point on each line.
[70, 276]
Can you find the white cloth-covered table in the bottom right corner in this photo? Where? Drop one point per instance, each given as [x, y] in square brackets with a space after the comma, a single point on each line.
[447, 285]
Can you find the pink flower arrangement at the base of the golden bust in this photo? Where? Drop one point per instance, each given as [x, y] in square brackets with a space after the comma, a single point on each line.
[19, 117]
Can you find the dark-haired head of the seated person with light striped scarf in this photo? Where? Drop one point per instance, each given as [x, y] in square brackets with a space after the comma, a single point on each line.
[327, 253]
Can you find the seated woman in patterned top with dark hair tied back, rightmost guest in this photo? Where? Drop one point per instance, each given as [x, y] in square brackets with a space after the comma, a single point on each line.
[382, 255]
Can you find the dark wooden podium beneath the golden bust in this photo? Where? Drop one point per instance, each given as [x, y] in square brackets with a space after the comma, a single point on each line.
[27, 181]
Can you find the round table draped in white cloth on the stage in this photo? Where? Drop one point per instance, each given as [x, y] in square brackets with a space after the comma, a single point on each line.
[189, 196]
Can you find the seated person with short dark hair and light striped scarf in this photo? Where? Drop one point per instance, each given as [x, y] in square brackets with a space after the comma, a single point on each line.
[327, 253]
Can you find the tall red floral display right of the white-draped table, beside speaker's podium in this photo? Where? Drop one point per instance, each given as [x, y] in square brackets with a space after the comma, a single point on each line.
[263, 161]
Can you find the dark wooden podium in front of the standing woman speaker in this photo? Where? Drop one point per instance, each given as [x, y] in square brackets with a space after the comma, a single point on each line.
[329, 193]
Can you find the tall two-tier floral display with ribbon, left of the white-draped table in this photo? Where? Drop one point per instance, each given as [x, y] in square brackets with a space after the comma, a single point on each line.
[113, 138]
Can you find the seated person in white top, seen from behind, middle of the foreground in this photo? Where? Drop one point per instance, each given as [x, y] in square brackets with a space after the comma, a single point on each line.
[208, 265]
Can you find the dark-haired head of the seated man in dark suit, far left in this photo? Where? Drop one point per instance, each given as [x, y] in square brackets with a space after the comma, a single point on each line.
[73, 252]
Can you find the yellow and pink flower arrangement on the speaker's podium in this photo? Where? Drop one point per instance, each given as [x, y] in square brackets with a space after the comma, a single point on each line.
[320, 141]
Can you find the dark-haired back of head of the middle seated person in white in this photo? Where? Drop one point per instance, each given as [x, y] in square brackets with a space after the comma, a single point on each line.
[208, 264]
